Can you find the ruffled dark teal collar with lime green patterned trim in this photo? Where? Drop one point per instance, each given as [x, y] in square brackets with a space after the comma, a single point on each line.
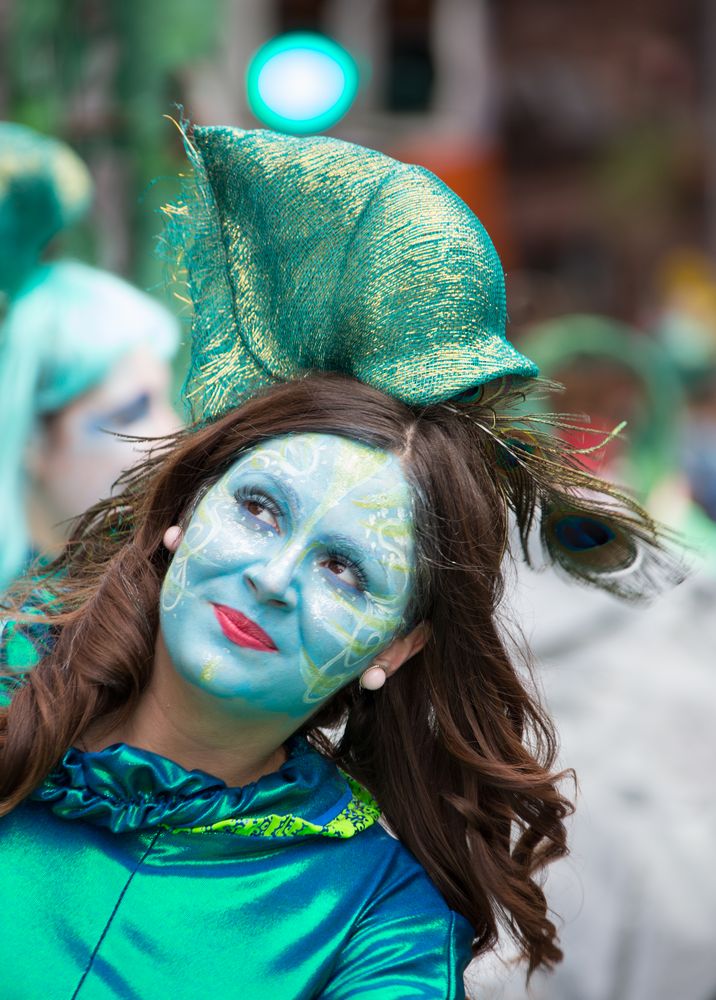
[127, 789]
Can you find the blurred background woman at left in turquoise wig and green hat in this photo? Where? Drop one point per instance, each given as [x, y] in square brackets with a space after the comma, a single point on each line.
[82, 352]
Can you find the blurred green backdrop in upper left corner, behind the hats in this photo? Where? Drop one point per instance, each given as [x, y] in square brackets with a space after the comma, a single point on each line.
[100, 74]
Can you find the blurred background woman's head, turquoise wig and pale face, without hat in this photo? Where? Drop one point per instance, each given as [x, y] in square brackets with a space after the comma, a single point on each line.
[84, 357]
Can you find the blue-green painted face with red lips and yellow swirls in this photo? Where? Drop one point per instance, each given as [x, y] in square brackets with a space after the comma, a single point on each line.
[295, 571]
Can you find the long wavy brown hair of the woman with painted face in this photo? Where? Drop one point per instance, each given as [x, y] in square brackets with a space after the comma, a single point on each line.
[454, 748]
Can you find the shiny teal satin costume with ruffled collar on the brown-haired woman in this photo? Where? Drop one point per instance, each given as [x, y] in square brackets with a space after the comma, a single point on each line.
[125, 876]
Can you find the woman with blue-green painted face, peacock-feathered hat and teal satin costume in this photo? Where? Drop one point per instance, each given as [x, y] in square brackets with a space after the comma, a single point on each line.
[321, 553]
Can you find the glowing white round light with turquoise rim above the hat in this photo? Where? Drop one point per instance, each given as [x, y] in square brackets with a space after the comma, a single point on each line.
[301, 83]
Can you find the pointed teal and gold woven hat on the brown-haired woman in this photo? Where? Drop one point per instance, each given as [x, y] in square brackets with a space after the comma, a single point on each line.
[313, 254]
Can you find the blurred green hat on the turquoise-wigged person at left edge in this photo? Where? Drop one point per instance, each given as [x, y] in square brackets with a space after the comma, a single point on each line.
[44, 186]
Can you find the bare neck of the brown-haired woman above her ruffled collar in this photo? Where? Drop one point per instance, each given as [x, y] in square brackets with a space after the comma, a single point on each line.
[176, 720]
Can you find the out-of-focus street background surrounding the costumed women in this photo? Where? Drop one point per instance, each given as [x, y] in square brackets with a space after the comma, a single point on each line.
[583, 135]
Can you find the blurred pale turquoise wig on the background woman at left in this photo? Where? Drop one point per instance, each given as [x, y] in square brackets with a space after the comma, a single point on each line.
[65, 330]
